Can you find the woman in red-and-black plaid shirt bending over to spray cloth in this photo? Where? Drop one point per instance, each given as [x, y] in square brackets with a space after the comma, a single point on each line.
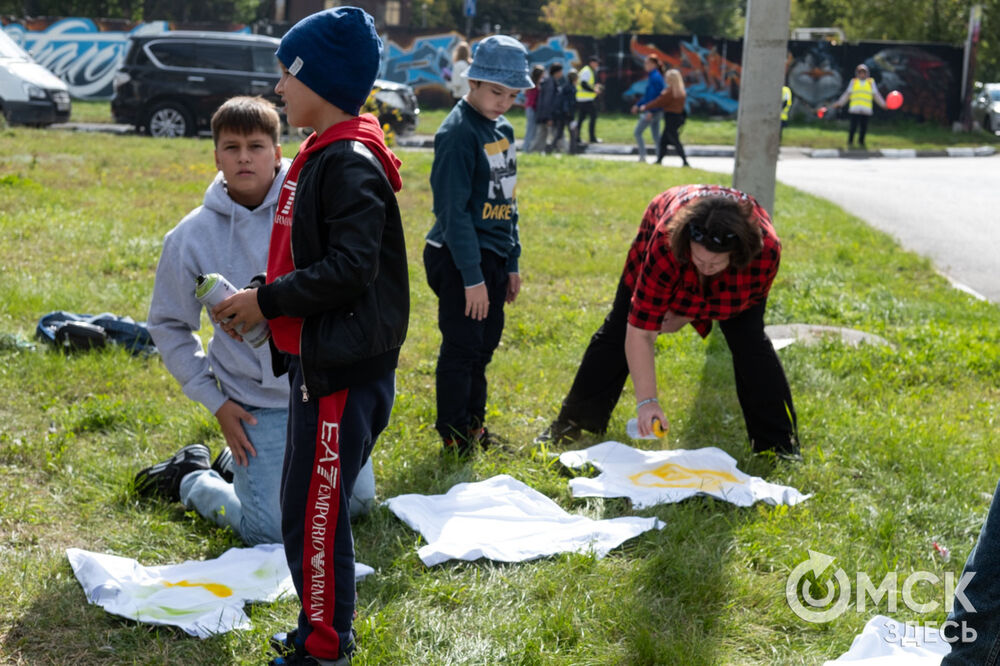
[703, 253]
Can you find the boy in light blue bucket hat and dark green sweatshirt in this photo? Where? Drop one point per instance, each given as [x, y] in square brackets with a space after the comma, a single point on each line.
[472, 250]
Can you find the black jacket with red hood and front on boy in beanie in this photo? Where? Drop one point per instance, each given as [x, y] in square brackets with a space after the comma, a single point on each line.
[342, 302]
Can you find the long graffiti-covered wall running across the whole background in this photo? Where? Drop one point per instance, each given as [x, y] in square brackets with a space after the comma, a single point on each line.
[85, 54]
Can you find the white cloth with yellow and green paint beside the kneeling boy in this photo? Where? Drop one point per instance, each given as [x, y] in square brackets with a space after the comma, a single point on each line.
[203, 598]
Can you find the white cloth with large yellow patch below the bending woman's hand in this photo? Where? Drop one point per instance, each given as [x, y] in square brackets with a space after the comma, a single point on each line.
[659, 477]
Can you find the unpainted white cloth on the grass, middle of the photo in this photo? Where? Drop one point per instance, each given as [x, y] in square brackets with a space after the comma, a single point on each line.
[505, 520]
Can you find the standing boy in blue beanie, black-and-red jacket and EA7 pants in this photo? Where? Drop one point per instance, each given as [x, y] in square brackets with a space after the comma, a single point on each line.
[338, 313]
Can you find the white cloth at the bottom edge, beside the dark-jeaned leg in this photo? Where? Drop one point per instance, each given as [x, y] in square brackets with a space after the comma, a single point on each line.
[888, 642]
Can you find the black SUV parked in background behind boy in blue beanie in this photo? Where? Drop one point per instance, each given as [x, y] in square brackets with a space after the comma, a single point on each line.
[170, 84]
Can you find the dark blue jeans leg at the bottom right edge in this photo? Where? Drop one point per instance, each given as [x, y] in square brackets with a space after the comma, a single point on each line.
[983, 595]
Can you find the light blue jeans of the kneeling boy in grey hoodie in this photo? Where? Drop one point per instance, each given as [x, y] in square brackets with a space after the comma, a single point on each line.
[250, 505]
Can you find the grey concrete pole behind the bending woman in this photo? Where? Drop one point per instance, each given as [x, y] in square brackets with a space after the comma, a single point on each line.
[758, 118]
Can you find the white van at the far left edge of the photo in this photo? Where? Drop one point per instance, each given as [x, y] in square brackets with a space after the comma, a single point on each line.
[29, 93]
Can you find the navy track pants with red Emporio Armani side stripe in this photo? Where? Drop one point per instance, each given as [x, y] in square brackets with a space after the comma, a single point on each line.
[329, 440]
